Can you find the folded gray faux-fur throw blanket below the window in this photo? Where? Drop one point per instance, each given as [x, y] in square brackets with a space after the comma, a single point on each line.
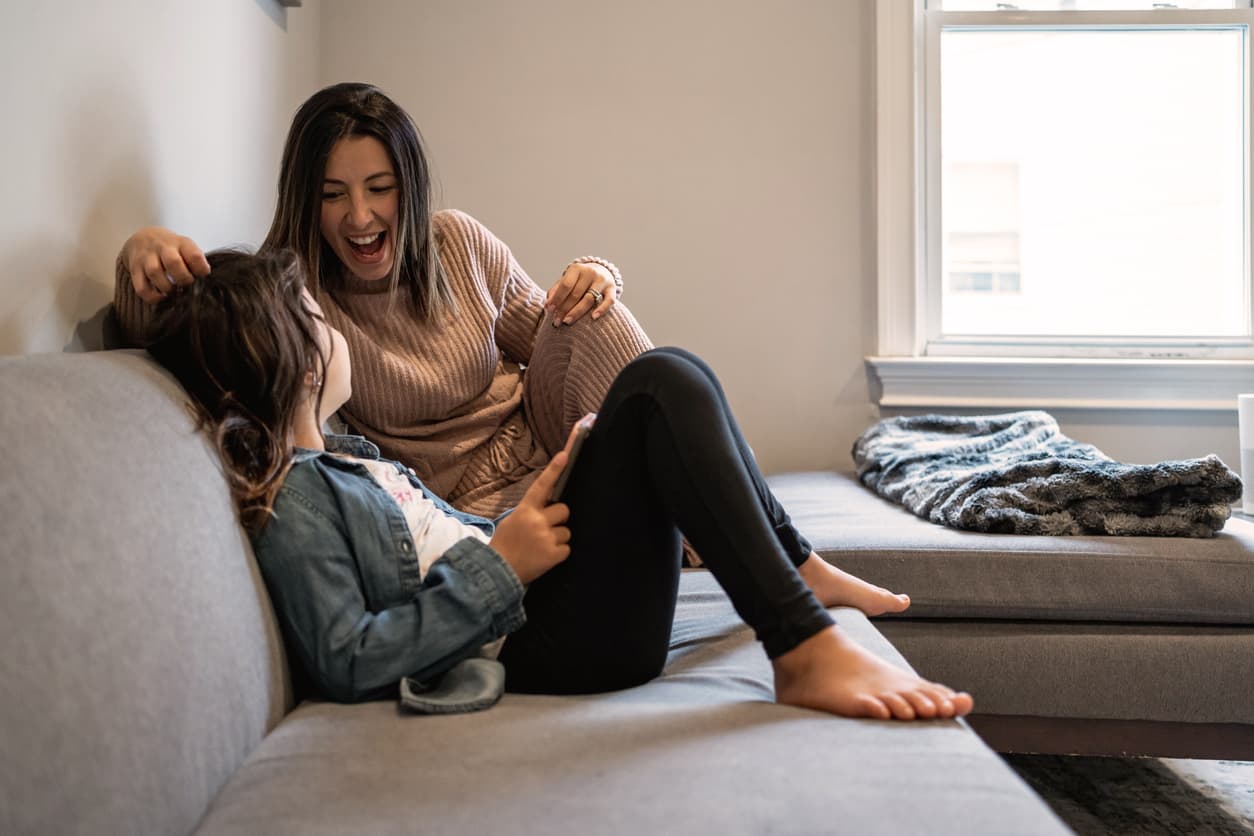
[1018, 474]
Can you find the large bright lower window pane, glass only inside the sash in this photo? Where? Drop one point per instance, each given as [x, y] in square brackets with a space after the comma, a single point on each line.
[1093, 182]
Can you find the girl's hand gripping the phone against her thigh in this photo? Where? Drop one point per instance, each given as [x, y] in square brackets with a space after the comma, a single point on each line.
[535, 538]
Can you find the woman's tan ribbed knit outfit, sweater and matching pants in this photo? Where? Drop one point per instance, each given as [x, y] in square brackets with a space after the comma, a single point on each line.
[478, 403]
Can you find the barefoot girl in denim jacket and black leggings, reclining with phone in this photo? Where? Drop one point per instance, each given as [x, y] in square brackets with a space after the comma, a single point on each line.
[376, 580]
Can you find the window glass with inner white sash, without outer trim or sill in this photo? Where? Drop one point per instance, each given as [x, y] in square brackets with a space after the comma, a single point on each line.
[1085, 181]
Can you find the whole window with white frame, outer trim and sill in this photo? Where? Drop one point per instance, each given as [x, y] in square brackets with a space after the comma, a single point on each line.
[1064, 205]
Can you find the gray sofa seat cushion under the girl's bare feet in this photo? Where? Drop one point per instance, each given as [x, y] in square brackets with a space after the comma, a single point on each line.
[700, 750]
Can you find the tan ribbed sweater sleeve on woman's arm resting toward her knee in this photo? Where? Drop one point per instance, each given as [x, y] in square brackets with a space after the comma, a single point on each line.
[519, 300]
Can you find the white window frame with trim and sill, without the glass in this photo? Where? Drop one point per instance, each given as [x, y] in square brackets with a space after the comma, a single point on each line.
[915, 370]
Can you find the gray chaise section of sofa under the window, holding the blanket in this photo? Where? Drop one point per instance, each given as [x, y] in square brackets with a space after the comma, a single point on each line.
[1072, 645]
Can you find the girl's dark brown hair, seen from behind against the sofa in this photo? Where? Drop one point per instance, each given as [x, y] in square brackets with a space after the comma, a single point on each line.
[241, 342]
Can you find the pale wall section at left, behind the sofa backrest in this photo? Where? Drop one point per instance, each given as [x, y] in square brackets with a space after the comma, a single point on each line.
[130, 113]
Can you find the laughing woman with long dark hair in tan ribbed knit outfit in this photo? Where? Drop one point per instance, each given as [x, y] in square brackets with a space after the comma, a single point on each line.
[441, 318]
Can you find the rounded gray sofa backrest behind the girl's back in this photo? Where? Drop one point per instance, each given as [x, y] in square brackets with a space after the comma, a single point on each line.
[142, 660]
